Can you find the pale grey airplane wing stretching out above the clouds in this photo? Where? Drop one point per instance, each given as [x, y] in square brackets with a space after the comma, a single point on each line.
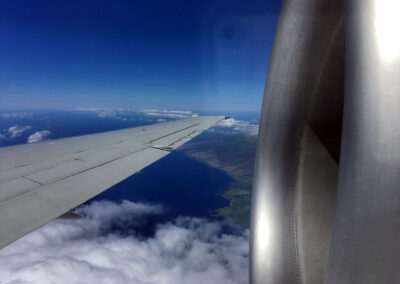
[40, 182]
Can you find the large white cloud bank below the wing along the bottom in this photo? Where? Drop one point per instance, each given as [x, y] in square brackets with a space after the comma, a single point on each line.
[187, 250]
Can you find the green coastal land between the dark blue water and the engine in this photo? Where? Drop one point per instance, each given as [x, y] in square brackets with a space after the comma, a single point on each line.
[234, 154]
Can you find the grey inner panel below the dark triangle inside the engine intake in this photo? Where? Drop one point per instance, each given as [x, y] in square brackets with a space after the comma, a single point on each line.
[315, 202]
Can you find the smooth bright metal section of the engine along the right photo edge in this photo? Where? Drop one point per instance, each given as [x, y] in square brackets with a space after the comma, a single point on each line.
[366, 235]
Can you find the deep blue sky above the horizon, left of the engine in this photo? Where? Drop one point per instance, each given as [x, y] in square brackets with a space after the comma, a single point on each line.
[199, 55]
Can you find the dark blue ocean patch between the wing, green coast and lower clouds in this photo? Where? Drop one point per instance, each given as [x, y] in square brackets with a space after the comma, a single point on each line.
[182, 185]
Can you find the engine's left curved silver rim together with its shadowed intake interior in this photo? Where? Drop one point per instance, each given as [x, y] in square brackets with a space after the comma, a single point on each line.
[305, 77]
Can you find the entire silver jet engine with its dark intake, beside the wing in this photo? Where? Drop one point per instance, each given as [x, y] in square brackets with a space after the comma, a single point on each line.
[309, 224]
